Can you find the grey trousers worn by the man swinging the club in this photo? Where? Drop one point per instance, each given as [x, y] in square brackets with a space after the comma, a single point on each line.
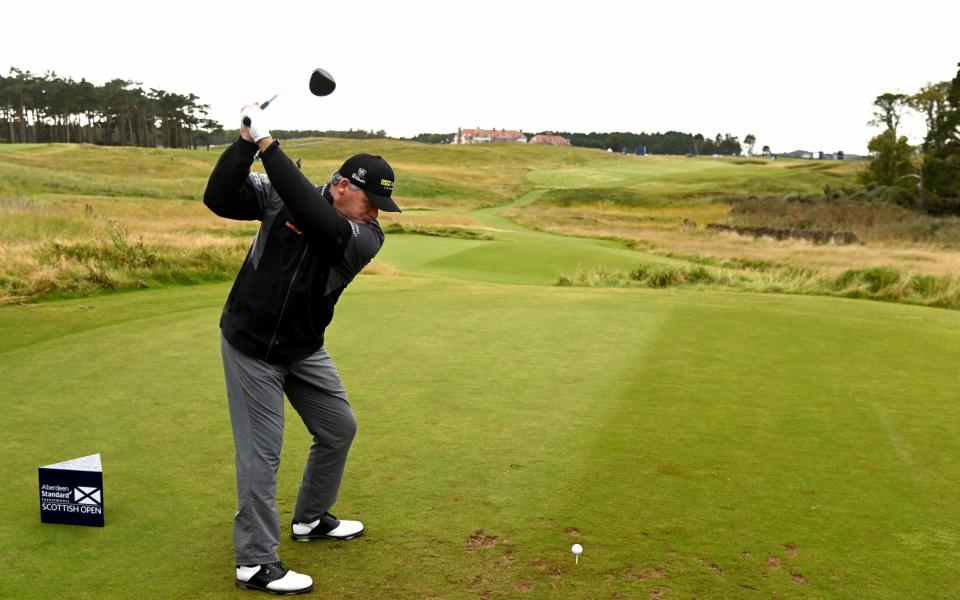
[255, 392]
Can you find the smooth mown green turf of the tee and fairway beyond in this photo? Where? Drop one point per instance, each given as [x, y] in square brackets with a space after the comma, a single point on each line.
[697, 443]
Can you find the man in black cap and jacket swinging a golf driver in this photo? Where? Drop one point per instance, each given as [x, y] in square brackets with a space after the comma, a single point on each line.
[311, 243]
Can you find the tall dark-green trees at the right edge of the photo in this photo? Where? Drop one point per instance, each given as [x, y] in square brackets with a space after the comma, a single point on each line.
[927, 175]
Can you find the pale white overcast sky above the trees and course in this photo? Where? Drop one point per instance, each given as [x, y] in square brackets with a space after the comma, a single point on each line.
[798, 75]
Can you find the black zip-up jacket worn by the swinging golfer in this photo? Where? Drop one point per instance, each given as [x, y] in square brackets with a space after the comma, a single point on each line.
[303, 257]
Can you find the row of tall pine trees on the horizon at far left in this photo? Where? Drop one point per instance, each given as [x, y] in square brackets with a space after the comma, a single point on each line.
[49, 108]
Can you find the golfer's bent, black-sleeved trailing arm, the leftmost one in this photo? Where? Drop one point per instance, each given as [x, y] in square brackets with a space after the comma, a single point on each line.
[230, 191]
